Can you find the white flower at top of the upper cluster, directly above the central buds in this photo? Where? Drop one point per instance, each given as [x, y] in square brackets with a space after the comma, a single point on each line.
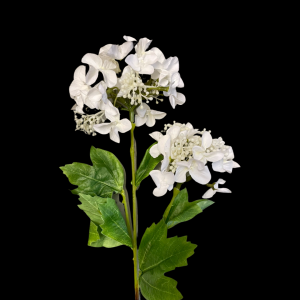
[143, 60]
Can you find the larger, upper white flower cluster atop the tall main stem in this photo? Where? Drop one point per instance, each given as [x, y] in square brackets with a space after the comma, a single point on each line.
[127, 91]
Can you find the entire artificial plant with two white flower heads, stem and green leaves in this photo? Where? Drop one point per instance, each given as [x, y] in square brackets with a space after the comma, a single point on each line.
[180, 153]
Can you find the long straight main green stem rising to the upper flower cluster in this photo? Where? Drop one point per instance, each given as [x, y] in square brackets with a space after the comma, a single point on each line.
[134, 205]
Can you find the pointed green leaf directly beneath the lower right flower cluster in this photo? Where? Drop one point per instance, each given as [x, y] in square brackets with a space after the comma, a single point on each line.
[182, 210]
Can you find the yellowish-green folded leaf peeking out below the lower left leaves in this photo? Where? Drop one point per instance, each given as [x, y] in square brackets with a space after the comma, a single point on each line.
[97, 239]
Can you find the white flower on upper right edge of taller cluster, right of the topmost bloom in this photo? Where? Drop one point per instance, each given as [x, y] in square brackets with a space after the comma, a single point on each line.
[164, 71]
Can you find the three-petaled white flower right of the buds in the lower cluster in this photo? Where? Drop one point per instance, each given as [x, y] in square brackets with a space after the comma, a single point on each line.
[203, 153]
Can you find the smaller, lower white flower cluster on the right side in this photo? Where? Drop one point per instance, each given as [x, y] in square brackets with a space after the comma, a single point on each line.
[186, 153]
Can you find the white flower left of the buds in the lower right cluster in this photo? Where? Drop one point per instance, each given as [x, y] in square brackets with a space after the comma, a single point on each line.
[164, 146]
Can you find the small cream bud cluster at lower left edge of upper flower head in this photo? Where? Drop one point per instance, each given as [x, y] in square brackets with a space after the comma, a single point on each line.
[86, 122]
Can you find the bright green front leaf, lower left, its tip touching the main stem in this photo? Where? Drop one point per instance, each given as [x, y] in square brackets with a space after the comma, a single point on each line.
[114, 225]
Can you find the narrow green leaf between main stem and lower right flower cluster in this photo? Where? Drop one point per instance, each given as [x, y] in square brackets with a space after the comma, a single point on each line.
[147, 165]
